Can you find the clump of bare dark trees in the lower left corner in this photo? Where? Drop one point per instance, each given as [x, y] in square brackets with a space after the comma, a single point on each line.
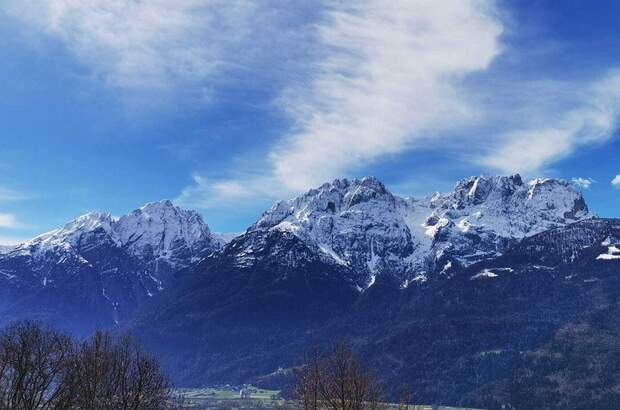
[44, 369]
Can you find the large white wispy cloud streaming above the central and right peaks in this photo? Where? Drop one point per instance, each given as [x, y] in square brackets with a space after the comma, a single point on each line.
[391, 79]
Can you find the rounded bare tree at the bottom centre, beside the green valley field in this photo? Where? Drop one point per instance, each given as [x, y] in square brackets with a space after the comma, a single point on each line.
[337, 381]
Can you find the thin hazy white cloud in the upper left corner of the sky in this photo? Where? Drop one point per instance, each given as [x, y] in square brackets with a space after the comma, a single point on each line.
[155, 44]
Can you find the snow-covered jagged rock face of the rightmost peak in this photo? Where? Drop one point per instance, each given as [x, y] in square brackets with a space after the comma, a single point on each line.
[486, 215]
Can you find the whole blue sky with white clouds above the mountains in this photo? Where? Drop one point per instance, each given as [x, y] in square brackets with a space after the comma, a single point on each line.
[227, 106]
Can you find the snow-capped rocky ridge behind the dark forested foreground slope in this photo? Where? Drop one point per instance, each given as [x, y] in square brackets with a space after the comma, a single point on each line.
[357, 229]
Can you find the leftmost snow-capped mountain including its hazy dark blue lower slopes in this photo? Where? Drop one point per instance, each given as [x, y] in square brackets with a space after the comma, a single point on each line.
[109, 265]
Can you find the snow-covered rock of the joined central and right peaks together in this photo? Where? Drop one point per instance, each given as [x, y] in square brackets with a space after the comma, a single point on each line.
[361, 225]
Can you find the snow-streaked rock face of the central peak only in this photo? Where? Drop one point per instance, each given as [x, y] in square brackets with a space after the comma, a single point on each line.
[357, 224]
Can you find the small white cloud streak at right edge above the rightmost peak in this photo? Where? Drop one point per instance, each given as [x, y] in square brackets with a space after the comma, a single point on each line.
[593, 121]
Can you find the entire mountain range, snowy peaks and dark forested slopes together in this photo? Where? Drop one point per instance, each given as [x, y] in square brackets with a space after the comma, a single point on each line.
[467, 296]
